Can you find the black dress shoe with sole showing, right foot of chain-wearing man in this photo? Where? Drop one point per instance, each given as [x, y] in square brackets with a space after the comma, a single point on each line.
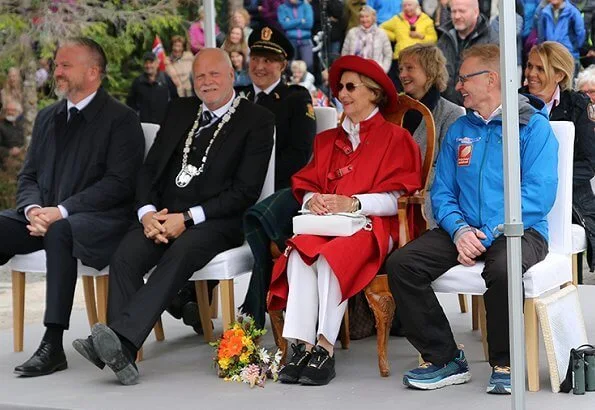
[110, 351]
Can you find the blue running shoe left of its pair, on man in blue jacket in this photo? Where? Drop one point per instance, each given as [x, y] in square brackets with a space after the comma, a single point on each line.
[429, 376]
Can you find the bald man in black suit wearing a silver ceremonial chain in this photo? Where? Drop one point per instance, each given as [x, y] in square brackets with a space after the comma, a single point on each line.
[206, 167]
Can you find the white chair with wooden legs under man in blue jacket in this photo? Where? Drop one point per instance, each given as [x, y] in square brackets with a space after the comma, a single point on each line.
[553, 272]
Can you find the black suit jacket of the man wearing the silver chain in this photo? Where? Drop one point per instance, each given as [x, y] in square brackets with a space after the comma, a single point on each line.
[235, 168]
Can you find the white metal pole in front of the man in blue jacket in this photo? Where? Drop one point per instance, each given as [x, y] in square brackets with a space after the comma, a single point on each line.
[513, 225]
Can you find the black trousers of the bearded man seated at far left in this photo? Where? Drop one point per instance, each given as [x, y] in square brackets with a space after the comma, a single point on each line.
[60, 264]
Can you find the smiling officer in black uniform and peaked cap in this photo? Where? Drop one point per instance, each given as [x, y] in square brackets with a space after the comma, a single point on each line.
[292, 105]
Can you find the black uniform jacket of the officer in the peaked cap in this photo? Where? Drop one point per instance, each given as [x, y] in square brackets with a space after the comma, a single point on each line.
[295, 125]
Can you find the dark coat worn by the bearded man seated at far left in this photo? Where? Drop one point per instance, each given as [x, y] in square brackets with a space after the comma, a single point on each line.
[100, 163]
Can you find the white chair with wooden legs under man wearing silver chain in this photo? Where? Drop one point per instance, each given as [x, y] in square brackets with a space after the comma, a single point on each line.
[227, 266]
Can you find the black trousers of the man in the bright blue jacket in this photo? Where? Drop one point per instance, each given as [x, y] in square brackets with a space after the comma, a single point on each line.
[412, 269]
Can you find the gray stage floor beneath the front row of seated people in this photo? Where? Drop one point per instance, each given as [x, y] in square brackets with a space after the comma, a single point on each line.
[178, 374]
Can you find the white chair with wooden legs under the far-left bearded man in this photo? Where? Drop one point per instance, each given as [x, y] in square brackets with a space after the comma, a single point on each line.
[35, 263]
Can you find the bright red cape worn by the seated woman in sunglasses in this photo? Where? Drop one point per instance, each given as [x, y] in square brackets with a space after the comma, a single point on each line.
[387, 159]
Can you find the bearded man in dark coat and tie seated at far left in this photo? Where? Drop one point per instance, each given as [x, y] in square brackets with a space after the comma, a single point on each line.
[76, 188]
